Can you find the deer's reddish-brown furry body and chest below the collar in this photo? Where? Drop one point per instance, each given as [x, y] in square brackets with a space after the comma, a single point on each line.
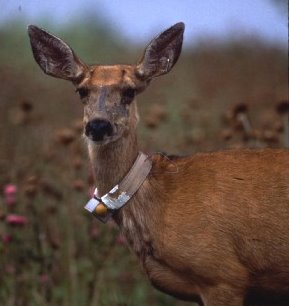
[209, 226]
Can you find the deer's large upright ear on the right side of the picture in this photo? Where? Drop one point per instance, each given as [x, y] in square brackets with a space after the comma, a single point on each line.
[161, 53]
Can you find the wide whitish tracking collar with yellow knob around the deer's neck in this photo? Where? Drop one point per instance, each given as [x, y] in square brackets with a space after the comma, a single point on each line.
[103, 207]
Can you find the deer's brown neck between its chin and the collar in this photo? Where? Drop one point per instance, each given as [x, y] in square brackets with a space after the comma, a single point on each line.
[111, 162]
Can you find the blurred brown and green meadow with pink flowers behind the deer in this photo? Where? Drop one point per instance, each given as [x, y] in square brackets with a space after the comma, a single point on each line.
[222, 94]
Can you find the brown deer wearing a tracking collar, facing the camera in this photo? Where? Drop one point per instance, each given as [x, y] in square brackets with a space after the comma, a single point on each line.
[210, 228]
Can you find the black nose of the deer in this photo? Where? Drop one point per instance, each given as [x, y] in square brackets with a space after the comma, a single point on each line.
[97, 129]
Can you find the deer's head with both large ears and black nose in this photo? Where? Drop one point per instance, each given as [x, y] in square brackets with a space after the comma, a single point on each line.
[107, 92]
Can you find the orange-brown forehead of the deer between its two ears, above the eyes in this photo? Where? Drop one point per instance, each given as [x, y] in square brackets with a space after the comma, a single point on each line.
[117, 75]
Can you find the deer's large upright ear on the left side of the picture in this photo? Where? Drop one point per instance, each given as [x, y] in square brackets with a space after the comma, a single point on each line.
[54, 56]
